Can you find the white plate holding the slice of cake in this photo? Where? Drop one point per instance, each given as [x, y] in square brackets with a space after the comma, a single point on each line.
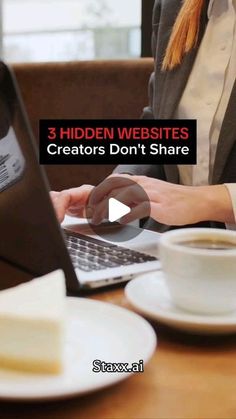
[95, 330]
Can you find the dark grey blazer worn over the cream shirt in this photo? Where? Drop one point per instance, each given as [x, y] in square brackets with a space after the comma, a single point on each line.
[165, 91]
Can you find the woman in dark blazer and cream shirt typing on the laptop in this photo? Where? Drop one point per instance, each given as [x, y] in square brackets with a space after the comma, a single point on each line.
[194, 46]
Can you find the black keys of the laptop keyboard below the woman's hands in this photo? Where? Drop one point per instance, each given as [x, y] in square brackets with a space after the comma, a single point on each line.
[90, 254]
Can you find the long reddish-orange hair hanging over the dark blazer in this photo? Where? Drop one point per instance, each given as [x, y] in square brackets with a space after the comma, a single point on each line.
[184, 34]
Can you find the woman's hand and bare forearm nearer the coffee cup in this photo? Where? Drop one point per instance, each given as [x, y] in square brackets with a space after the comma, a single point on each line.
[170, 204]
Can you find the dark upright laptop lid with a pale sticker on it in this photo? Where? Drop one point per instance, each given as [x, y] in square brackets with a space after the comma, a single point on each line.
[31, 238]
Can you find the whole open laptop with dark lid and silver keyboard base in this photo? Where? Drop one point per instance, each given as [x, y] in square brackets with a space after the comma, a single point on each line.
[32, 240]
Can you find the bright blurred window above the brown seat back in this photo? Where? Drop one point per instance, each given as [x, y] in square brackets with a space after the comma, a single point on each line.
[67, 30]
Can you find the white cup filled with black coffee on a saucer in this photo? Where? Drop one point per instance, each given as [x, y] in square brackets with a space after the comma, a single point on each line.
[200, 279]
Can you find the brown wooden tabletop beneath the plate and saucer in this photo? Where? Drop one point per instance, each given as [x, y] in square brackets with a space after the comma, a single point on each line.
[188, 377]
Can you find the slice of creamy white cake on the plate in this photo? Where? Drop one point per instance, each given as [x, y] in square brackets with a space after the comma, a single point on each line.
[32, 325]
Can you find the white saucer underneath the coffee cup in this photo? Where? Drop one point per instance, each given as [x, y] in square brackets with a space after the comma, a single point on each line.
[149, 295]
